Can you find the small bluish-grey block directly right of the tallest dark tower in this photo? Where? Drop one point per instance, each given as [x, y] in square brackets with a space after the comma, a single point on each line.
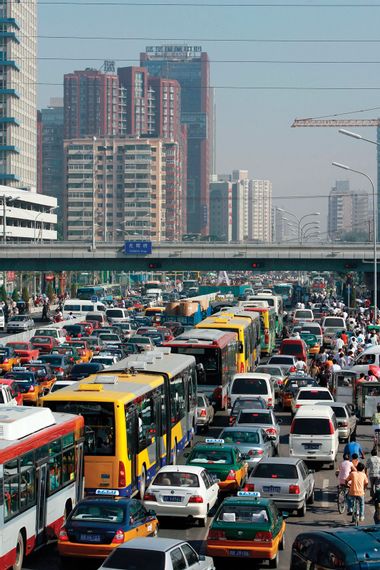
[221, 210]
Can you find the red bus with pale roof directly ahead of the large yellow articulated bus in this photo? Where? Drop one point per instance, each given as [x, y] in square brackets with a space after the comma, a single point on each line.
[217, 351]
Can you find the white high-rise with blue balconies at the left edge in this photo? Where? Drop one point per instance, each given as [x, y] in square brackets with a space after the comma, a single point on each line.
[18, 111]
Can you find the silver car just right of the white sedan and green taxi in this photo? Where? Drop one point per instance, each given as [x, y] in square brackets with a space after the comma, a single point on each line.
[285, 480]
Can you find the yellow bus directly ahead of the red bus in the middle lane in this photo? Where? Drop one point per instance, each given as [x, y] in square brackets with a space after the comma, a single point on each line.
[243, 329]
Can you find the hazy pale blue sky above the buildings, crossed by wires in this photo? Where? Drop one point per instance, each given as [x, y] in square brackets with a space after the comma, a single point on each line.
[253, 125]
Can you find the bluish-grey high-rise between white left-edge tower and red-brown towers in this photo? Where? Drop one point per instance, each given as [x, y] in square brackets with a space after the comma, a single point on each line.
[50, 150]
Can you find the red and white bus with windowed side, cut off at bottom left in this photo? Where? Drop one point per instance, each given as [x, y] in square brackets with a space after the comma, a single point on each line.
[41, 478]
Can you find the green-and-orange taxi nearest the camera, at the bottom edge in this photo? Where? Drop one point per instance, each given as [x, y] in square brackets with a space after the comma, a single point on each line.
[247, 527]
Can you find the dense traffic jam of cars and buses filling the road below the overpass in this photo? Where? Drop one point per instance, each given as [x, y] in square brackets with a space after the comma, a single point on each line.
[220, 410]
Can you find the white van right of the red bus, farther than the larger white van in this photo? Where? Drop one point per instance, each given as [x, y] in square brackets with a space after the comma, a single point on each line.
[248, 384]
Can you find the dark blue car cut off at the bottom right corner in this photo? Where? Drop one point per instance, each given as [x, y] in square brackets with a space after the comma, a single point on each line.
[351, 548]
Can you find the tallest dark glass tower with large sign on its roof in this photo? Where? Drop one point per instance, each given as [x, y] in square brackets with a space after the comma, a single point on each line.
[191, 68]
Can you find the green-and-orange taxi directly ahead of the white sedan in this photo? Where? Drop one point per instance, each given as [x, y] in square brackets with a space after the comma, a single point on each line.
[222, 460]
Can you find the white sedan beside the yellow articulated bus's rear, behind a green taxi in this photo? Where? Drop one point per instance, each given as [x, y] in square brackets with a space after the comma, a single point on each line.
[182, 491]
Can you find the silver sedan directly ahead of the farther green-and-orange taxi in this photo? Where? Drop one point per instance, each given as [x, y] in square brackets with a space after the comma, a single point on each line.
[252, 442]
